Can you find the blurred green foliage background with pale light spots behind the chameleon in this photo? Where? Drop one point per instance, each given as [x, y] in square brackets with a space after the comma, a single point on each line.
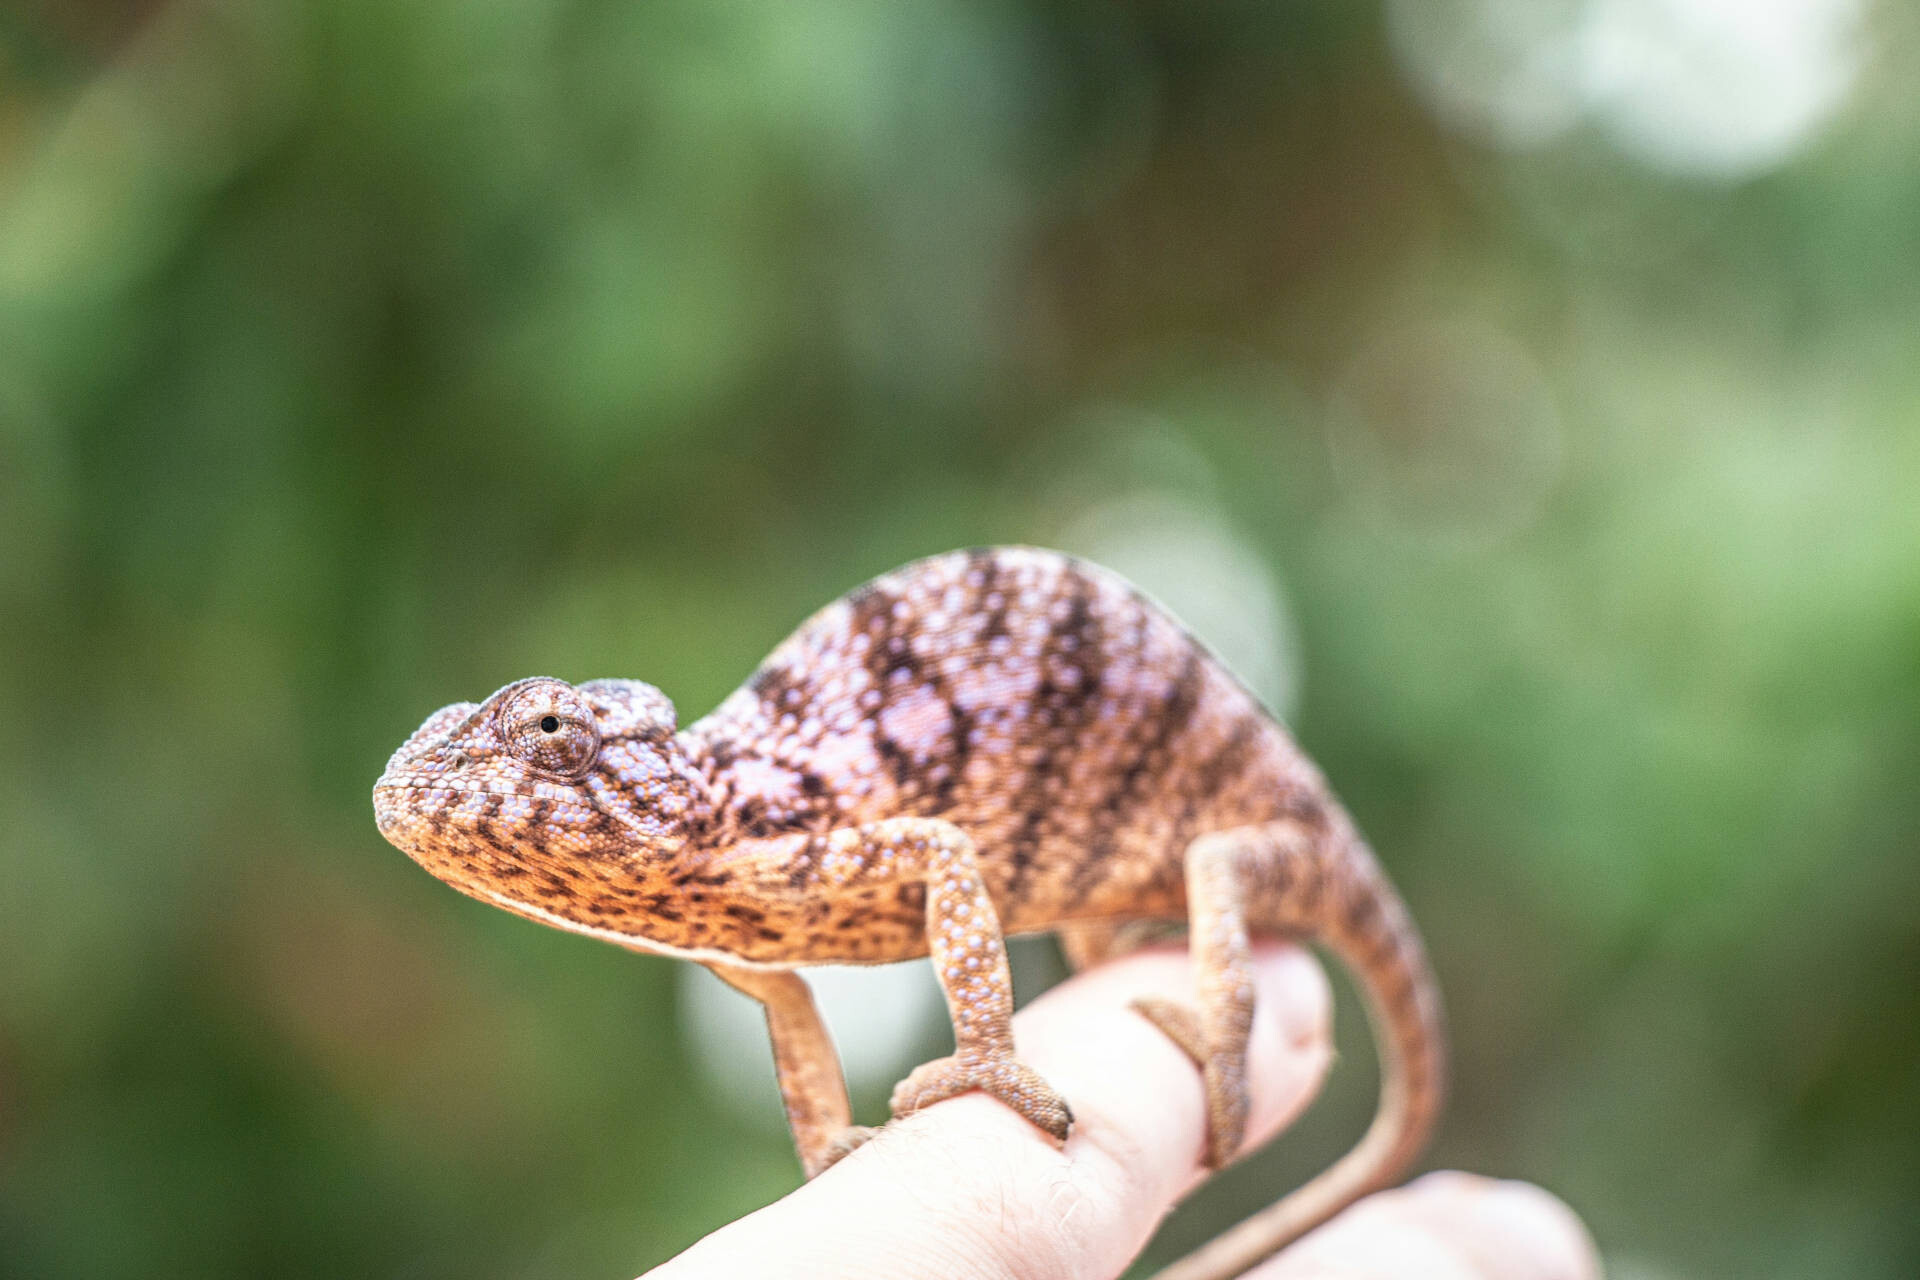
[1525, 394]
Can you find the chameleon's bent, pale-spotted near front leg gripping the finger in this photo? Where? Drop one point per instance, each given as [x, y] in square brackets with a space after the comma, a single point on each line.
[971, 962]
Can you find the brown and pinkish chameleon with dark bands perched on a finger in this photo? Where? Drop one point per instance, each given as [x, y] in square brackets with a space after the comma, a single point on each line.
[982, 744]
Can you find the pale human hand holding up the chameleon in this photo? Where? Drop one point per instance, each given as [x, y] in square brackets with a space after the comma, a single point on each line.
[971, 1191]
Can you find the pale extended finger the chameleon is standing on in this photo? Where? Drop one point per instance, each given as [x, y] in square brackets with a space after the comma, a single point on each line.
[969, 1189]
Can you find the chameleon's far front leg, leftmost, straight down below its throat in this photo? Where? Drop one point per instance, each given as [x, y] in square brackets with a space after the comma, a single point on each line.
[805, 1062]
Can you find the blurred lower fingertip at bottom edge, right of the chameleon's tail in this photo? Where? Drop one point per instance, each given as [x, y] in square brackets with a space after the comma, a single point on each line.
[1445, 1227]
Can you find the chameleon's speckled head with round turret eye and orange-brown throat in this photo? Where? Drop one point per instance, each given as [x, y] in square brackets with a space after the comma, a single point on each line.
[554, 801]
